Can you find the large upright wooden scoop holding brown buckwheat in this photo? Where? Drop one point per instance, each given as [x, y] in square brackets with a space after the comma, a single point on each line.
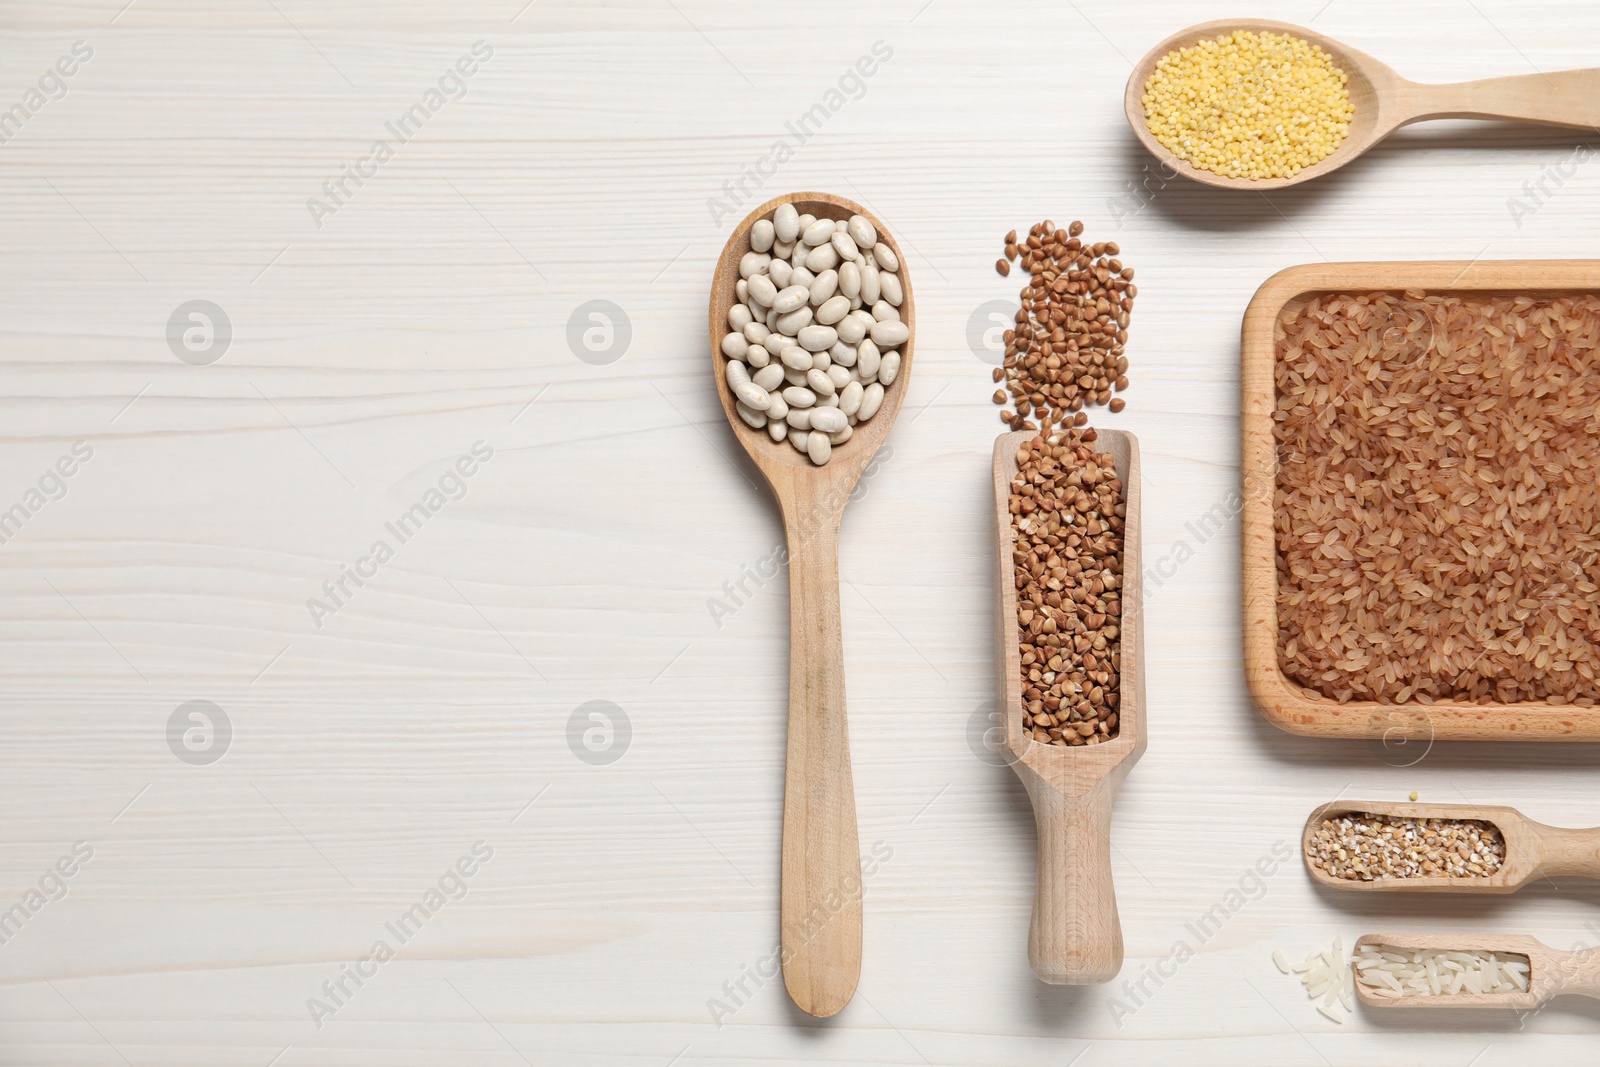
[1076, 938]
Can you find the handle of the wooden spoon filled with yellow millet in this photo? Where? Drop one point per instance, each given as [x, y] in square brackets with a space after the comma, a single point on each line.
[1566, 98]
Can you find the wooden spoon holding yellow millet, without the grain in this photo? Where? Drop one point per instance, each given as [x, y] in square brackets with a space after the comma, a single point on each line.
[1383, 102]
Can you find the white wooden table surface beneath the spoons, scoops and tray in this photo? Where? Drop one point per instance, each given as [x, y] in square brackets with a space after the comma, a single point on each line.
[439, 705]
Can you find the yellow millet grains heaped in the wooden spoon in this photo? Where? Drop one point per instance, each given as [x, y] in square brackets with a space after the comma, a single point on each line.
[1249, 105]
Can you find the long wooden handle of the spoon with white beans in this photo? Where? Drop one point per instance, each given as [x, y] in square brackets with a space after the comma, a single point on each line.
[822, 866]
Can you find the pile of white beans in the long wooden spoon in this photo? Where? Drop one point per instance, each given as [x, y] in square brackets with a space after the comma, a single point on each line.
[815, 334]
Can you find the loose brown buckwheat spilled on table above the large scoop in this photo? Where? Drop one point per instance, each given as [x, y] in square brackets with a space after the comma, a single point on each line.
[1068, 346]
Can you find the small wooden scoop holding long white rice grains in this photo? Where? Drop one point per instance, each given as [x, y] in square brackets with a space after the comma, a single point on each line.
[1551, 972]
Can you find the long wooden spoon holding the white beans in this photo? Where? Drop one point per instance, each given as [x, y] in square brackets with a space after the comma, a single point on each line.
[822, 865]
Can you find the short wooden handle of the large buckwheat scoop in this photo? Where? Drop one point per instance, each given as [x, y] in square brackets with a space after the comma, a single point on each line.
[1076, 938]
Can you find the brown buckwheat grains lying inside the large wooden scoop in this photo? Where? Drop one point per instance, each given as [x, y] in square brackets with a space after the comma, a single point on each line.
[1068, 518]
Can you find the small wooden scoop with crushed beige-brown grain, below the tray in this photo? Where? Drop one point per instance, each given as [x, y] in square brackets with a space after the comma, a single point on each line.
[1532, 849]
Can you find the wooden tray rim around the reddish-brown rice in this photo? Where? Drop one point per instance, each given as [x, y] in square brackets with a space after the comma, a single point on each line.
[1281, 701]
